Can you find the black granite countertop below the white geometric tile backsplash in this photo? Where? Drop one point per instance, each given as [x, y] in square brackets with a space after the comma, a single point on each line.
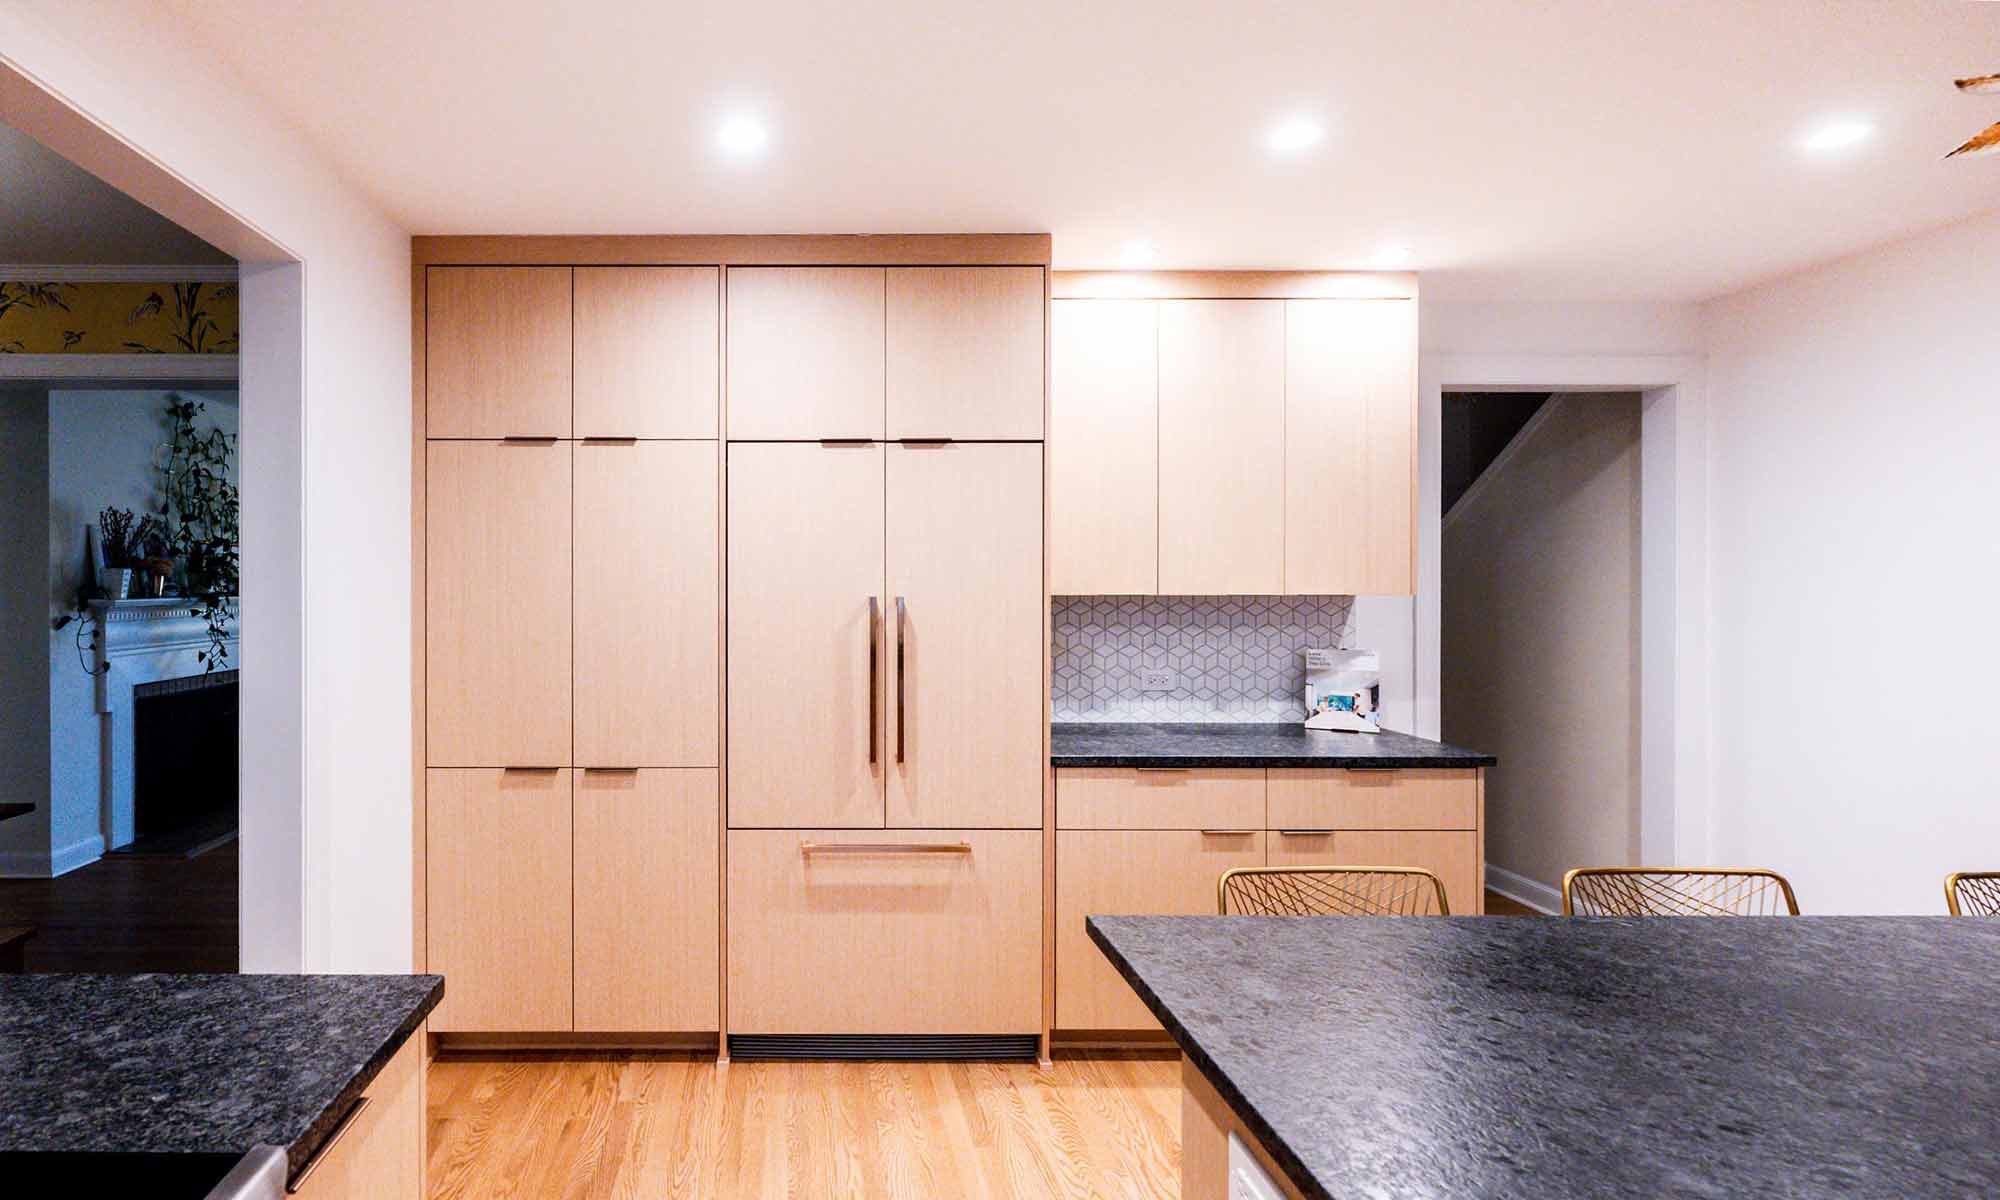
[1245, 745]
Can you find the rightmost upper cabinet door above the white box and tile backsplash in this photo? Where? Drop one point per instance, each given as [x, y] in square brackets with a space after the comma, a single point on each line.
[1351, 447]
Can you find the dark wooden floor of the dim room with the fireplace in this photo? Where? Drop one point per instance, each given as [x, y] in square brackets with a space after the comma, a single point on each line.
[127, 915]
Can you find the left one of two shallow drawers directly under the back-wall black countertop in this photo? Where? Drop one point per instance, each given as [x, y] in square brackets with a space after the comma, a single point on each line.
[1157, 799]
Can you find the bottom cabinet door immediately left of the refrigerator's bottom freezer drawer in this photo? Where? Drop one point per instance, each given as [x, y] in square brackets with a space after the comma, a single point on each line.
[647, 901]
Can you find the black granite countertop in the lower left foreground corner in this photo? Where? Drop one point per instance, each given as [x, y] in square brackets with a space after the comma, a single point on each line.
[195, 1065]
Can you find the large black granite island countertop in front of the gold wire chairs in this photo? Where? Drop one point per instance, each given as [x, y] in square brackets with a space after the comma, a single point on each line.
[1521, 1057]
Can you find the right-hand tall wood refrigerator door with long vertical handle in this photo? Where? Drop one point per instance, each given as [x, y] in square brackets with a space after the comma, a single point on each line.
[965, 625]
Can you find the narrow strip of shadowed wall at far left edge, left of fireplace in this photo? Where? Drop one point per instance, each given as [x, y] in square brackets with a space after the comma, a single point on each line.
[25, 627]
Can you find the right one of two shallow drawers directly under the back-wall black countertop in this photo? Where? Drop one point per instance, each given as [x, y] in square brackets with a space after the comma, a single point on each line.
[1423, 799]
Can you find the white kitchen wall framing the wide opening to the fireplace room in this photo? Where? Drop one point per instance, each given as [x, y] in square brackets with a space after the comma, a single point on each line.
[139, 77]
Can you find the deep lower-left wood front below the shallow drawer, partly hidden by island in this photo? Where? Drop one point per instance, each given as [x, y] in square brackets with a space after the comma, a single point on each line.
[1131, 873]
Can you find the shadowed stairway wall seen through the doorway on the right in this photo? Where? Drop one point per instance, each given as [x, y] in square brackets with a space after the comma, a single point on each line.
[1541, 639]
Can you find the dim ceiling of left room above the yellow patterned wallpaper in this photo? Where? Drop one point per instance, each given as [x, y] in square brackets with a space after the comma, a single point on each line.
[57, 213]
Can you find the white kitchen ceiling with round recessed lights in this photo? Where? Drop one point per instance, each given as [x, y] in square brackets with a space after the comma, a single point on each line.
[1523, 149]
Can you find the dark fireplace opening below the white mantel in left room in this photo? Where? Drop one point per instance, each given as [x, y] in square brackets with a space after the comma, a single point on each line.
[185, 765]
